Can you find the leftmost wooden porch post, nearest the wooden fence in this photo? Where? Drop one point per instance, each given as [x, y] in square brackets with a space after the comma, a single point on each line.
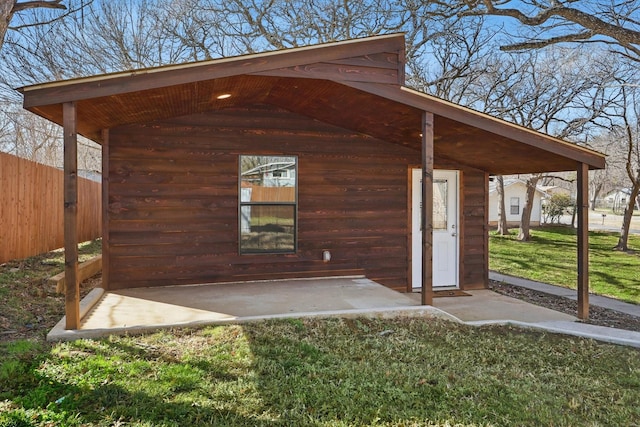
[72, 293]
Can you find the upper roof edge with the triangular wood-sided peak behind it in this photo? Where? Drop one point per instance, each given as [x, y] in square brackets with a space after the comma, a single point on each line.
[342, 60]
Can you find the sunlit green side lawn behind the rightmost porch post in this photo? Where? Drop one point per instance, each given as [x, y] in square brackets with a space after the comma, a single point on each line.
[551, 258]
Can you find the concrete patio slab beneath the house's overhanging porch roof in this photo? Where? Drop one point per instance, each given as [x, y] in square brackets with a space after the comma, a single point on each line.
[140, 310]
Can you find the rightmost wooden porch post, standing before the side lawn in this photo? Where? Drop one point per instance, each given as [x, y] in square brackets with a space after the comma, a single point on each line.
[583, 241]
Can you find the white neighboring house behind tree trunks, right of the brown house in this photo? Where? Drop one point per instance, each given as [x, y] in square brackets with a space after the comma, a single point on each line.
[515, 194]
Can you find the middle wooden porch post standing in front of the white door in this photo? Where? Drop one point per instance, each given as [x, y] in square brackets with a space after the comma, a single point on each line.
[427, 208]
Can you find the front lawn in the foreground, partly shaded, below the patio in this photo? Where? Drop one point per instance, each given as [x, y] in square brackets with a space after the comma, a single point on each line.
[403, 372]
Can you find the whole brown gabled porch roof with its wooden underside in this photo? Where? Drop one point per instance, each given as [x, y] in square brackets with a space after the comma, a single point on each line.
[355, 84]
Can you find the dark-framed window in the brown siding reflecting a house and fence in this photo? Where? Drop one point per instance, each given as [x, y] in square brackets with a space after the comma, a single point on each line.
[268, 204]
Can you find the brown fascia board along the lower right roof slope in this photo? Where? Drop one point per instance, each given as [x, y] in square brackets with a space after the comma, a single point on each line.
[482, 121]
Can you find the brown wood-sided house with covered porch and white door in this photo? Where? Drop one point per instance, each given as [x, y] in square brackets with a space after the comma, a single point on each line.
[174, 138]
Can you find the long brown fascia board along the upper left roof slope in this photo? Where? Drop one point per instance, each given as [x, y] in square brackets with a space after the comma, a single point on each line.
[152, 78]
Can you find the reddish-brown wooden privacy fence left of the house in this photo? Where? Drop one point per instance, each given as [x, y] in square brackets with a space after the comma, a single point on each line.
[31, 208]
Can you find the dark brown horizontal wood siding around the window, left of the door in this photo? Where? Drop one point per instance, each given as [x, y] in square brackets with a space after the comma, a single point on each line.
[173, 195]
